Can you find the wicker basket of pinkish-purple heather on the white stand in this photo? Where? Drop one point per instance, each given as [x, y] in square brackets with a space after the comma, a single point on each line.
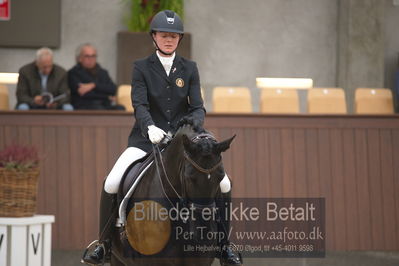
[19, 171]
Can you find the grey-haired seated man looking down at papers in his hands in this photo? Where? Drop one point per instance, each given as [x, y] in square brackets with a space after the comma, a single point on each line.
[42, 84]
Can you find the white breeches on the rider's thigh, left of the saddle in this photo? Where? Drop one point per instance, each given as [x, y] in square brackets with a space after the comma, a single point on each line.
[129, 156]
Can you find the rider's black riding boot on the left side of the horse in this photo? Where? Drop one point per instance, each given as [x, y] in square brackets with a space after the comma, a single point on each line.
[108, 208]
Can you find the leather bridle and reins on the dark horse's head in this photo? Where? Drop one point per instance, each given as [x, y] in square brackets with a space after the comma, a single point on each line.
[183, 198]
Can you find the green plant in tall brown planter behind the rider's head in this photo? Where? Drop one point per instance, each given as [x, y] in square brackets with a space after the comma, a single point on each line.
[135, 43]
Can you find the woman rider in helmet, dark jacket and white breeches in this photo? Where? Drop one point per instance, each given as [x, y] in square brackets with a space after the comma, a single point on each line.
[165, 88]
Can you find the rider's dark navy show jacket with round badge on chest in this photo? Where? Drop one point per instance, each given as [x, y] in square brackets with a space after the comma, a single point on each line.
[163, 100]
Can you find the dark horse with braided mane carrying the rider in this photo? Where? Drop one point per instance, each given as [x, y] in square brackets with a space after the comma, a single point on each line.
[171, 216]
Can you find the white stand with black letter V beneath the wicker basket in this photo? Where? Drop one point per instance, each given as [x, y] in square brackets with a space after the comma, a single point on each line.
[26, 241]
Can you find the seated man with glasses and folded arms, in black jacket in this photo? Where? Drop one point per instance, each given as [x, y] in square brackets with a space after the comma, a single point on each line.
[91, 86]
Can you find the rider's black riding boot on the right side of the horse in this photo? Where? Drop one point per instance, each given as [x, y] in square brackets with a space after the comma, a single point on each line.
[228, 257]
